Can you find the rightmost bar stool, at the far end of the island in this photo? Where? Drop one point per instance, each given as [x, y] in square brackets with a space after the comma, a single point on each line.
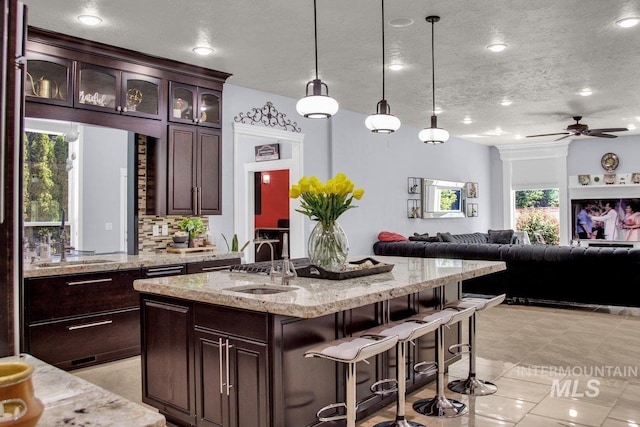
[471, 385]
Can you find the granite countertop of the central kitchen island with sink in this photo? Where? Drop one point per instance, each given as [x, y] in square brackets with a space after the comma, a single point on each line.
[310, 297]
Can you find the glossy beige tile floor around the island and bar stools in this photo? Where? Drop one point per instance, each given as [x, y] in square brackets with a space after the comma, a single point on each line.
[553, 367]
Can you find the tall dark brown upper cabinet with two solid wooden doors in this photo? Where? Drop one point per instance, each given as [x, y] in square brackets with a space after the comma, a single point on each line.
[194, 171]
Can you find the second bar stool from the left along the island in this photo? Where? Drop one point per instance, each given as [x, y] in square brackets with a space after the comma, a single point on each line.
[407, 330]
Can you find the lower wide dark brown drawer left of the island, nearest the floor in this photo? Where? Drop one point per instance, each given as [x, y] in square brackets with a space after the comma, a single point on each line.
[88, 340]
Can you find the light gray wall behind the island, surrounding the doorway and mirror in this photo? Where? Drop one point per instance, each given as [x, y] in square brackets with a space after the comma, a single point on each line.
[378, 163]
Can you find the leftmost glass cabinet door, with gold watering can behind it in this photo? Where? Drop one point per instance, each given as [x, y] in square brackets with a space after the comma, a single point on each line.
[48, 79]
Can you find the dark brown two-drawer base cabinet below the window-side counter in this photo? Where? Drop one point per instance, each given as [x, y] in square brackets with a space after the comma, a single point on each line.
[91, 318]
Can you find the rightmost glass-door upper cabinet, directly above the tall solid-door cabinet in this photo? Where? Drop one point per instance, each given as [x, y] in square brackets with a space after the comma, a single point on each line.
[194, 105]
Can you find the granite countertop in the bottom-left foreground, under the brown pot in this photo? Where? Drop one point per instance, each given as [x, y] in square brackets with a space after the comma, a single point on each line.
[69, 400]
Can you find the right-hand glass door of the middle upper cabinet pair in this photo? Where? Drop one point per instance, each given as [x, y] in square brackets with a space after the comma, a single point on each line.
[140, 95]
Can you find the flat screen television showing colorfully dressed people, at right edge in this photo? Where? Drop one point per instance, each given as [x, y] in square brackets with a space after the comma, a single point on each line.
[595, 207]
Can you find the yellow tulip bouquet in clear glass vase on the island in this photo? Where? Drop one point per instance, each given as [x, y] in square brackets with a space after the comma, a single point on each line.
[328, 245]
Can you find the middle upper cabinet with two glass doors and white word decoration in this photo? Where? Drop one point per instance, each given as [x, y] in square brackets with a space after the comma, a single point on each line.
[111, 90]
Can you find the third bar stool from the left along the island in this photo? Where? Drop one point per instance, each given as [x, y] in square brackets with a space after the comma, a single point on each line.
[440, 405]
